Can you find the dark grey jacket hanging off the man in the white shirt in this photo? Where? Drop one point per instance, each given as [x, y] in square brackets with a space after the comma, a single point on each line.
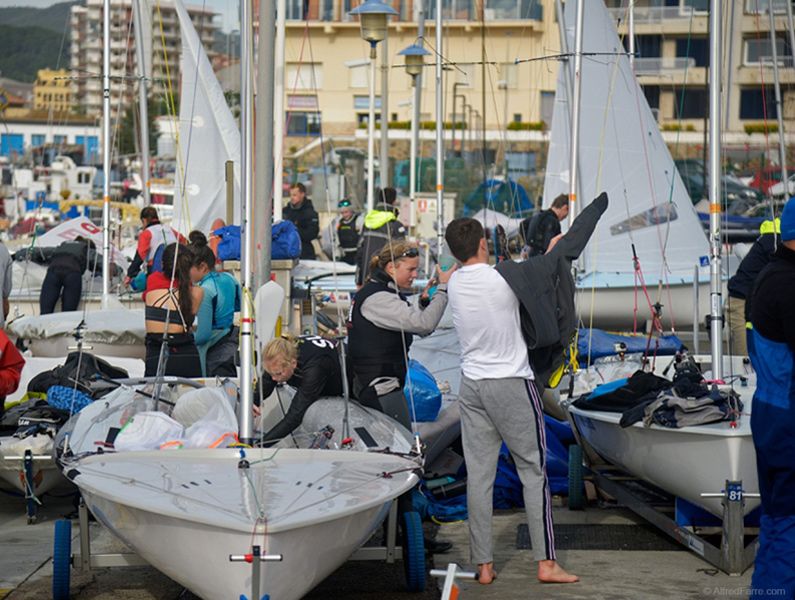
[545, 288]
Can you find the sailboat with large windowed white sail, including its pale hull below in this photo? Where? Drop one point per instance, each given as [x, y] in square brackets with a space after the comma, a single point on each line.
[651, 216]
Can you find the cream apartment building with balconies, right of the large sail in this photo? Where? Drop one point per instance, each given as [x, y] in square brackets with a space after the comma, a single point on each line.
[672, 46]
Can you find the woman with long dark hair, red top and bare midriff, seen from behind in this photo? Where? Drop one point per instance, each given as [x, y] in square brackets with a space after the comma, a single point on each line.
[172, 303]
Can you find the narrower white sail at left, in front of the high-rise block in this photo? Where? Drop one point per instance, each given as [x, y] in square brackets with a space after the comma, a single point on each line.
[208, 137]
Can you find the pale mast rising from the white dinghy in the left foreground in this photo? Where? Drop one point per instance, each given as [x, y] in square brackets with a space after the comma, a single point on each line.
[245, 417]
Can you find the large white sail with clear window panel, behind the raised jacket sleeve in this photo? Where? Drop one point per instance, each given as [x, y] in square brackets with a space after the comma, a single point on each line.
[622, 153]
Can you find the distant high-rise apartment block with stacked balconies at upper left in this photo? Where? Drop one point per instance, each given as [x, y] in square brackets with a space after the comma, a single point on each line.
[162, 47]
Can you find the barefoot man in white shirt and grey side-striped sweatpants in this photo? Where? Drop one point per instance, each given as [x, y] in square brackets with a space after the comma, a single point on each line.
[499, 402]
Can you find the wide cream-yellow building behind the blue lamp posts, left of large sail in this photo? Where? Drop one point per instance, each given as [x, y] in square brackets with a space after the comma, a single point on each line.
[327, 70]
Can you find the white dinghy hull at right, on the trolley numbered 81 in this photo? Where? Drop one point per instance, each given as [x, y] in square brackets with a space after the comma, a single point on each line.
[684, 462]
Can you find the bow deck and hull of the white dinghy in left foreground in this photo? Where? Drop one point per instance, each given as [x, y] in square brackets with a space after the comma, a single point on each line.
[187, 511]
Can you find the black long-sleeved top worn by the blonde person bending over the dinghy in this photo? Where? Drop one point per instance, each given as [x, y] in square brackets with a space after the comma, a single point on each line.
[317, 374]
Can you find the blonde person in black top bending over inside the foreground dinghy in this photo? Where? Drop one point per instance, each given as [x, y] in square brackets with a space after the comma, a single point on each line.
[311, 364]
